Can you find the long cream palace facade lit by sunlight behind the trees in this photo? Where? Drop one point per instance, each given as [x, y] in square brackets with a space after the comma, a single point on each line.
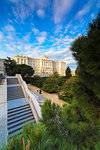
[43, 67]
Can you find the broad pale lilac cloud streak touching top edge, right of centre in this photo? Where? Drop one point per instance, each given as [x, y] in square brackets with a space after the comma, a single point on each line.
[61, 8]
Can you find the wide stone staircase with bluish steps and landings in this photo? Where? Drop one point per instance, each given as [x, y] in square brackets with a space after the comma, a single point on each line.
[19, 110]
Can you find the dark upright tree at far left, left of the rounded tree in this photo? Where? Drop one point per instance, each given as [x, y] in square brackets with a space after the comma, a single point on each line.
[9, 65]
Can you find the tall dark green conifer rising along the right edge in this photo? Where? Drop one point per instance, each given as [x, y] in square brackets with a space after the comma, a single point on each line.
[86, 51]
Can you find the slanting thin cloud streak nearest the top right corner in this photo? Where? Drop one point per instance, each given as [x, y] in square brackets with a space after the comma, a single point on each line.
[85, 9]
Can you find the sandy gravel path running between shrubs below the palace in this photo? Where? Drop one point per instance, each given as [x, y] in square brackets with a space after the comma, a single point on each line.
[53, 97]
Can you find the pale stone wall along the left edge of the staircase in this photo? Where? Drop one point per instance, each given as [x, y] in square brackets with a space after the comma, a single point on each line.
[3, 112]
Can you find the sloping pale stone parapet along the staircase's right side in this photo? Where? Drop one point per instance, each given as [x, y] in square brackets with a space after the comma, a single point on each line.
[36, 109]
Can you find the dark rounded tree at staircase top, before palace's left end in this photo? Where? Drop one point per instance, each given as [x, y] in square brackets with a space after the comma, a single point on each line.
[25, 70]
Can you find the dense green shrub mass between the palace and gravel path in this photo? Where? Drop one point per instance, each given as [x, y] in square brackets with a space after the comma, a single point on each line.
[51, 84]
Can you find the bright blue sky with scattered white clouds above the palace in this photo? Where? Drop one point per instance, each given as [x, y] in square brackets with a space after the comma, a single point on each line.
[35, 27]
